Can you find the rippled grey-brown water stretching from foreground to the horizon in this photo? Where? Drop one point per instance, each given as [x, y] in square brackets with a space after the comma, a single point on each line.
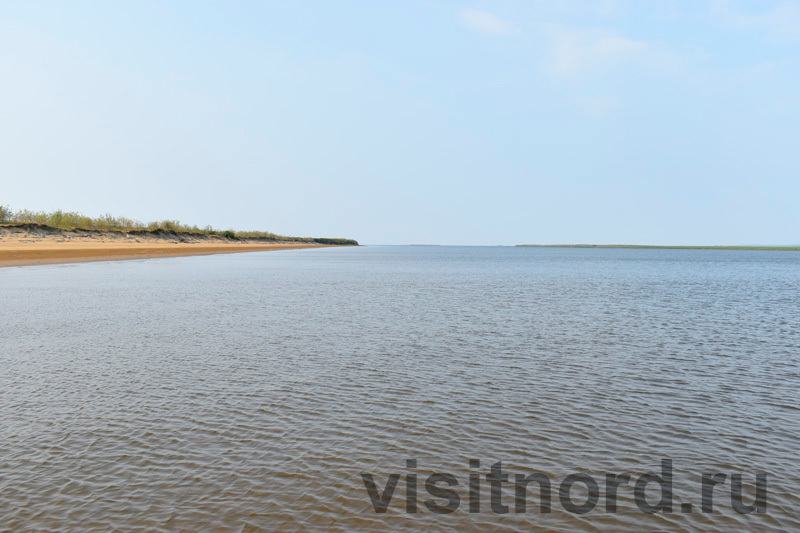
[250, 391]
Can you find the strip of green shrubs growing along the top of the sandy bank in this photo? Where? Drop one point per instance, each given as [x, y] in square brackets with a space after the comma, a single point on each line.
[71, 221]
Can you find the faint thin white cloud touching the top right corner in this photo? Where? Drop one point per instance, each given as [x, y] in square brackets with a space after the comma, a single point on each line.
[781, 22]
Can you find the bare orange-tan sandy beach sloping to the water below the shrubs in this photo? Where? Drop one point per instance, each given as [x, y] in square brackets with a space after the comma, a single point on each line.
[31, 244]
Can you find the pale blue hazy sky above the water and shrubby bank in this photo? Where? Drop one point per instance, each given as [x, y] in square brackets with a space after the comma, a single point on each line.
[446, 122]
